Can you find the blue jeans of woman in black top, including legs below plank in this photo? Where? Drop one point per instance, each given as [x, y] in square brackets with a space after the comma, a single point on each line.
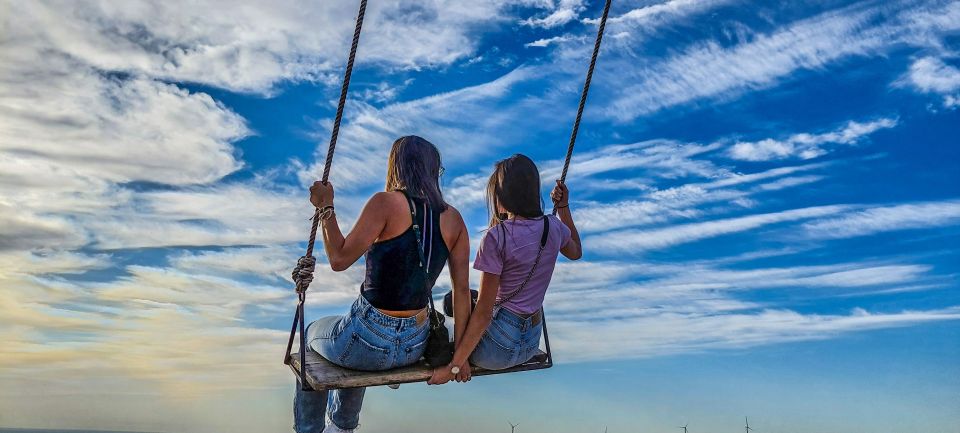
[363, 339]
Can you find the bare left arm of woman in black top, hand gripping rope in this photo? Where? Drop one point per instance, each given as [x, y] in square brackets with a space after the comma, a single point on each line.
[342, 252]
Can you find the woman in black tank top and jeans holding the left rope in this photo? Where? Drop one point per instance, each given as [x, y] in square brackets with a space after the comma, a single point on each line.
[387, 325]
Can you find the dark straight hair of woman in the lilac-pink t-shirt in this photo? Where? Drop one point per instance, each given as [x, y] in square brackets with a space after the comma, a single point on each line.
[515, 187]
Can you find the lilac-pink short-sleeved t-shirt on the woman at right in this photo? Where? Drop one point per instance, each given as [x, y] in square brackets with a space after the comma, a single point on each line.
[509, 250]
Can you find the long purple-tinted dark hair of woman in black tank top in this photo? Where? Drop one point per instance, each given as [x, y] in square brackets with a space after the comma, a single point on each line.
[414, 165]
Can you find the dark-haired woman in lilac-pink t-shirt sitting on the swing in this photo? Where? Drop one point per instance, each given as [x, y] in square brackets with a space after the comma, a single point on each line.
[516, 257]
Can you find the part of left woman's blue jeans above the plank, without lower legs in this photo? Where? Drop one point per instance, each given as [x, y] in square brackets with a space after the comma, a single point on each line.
[367, 339]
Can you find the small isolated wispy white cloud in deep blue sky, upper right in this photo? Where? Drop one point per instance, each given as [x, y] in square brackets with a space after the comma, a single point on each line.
[807, 146]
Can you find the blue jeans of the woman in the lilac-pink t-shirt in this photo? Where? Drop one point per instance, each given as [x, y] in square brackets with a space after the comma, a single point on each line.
[510, 340]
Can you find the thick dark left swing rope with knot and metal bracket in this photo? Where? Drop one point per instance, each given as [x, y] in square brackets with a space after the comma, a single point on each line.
[303, 272]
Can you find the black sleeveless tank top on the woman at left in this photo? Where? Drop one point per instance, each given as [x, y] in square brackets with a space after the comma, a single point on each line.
[394, 280]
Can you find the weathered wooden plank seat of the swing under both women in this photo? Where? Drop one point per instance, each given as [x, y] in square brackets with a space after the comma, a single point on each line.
[323, 375]
